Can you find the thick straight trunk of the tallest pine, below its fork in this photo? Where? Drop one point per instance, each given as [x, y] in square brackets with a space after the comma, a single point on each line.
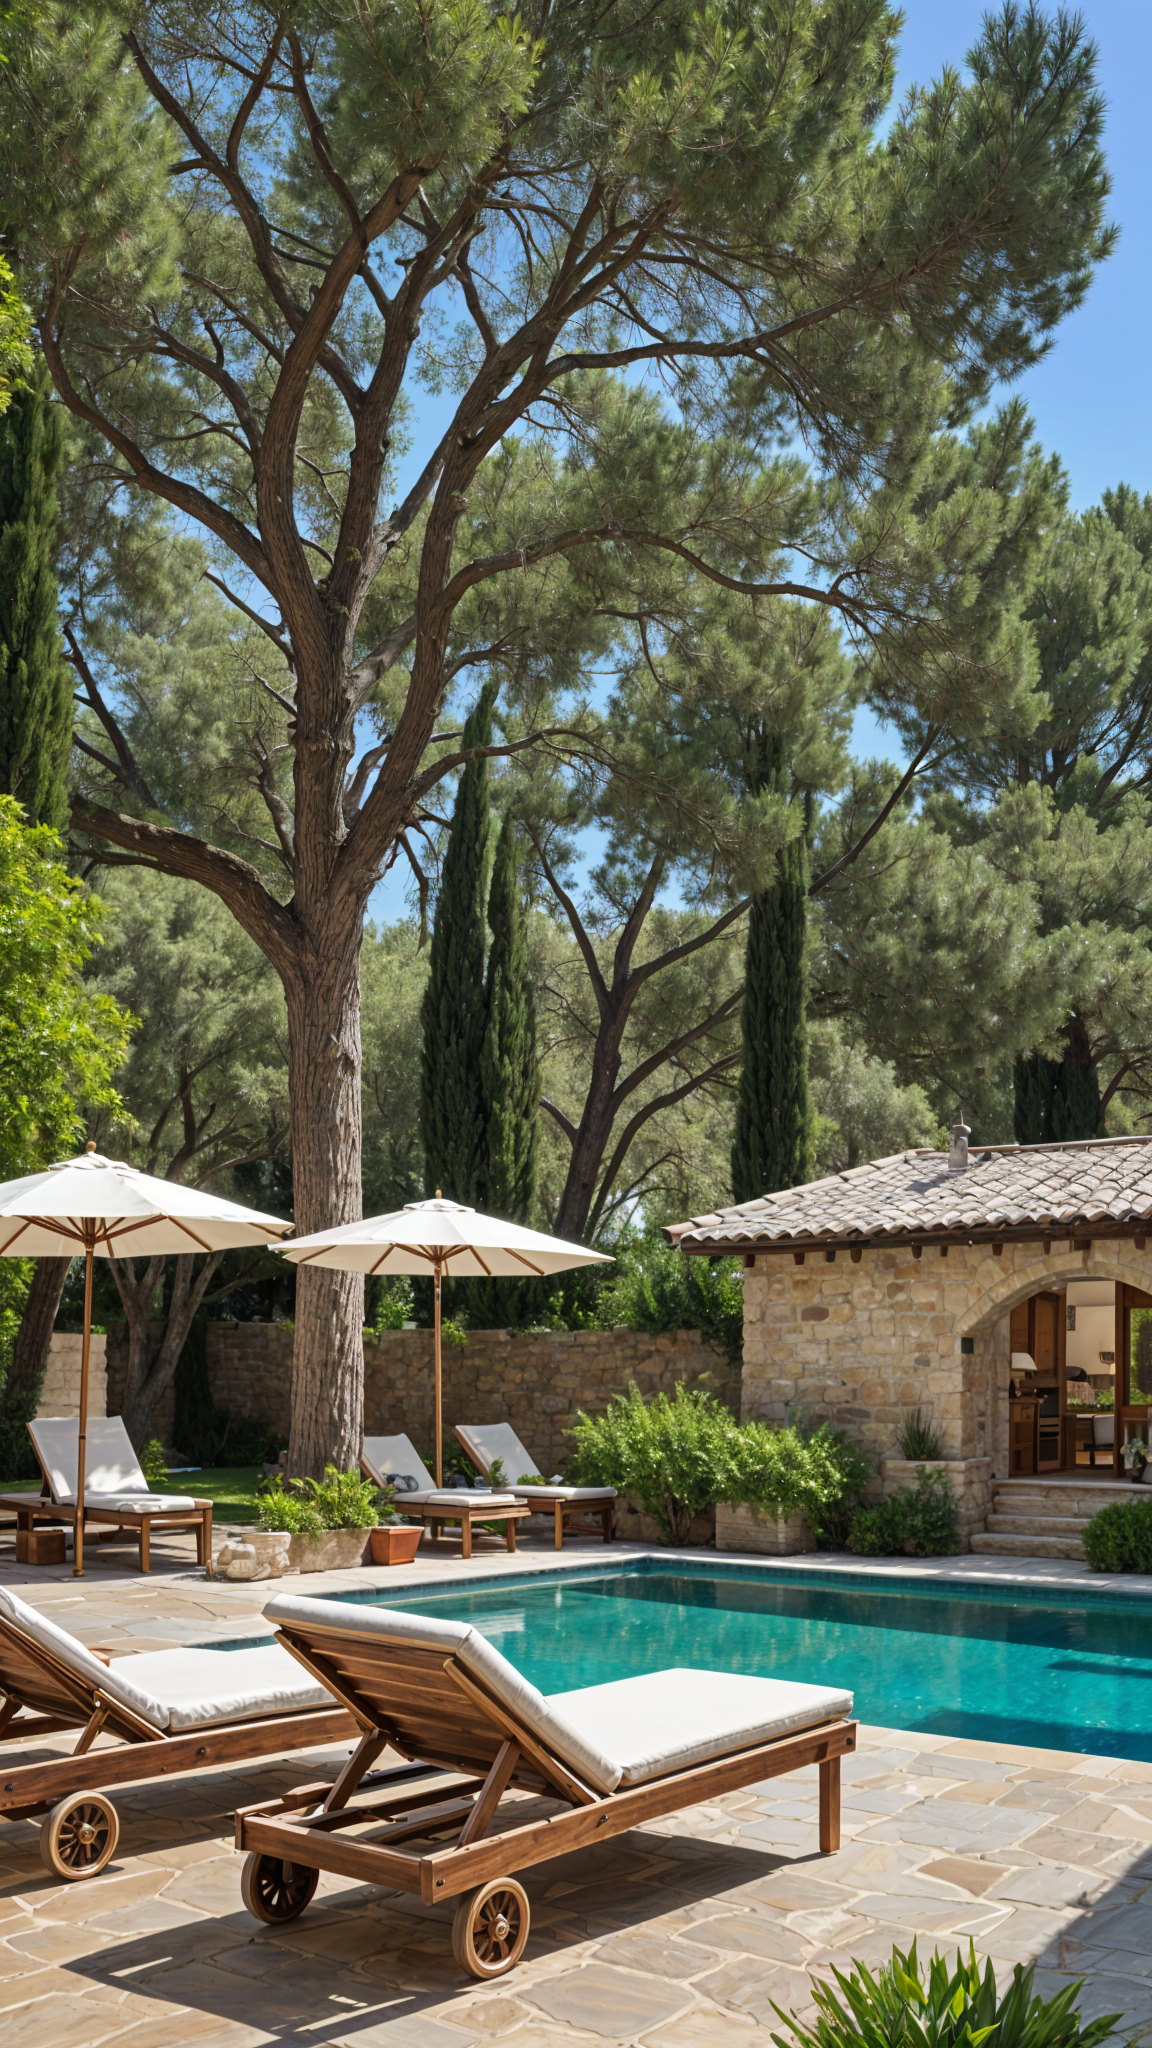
[325, 1078]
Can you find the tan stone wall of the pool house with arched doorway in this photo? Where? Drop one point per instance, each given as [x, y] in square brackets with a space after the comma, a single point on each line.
[868, 1340]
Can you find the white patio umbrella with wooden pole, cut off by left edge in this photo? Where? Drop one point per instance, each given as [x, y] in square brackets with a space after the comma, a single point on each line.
[101, 1207]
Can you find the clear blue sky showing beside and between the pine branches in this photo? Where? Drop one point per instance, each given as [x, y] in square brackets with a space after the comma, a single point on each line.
[1092, 398]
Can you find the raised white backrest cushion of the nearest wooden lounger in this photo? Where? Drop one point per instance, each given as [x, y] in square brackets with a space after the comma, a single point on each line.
[380, 1627]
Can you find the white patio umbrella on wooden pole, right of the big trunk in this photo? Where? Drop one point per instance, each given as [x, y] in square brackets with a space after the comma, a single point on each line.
[440, 1238]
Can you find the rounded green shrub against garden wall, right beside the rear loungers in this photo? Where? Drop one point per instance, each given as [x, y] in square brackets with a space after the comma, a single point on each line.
[671, 1455]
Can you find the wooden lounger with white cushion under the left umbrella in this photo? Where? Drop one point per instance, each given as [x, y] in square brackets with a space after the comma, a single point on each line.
[116, 1490]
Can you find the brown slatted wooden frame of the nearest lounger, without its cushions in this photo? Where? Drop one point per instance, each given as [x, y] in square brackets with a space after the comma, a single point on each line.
[429, 1707]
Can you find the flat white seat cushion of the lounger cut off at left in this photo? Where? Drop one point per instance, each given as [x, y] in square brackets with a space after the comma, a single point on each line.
[200, 1689]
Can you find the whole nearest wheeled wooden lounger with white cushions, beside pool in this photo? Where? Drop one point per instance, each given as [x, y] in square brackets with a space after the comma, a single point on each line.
[503, 1777]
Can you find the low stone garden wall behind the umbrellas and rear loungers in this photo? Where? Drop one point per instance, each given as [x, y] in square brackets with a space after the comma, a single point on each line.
[536, 1383]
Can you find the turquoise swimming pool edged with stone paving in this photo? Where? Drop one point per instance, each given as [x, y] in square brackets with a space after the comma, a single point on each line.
[981, 1662]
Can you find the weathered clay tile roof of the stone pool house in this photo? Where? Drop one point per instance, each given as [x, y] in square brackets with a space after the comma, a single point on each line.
[1022, 1191]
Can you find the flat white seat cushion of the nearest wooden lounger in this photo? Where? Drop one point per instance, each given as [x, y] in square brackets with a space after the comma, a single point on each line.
[665, 1721]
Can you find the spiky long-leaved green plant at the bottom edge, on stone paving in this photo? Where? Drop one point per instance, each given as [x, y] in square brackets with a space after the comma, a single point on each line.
[952, 2010]
